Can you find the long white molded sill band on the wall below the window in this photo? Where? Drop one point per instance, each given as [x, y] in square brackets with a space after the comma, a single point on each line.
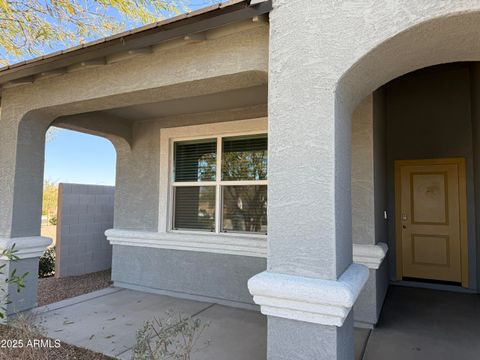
[231, 244]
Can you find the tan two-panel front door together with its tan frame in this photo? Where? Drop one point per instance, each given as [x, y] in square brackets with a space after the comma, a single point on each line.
[431, 219]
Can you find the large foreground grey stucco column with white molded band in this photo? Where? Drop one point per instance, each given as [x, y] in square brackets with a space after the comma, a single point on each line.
[310, 284]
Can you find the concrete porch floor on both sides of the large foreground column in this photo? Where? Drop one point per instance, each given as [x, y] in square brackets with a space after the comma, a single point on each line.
[414, 324]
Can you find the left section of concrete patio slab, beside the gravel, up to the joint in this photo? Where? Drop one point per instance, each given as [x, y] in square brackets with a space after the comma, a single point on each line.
[108, 323]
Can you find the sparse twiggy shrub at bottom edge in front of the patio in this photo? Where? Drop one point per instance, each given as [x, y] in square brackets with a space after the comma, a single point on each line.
[173, 338]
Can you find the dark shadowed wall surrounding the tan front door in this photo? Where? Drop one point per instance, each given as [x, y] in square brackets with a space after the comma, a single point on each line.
[429, 116]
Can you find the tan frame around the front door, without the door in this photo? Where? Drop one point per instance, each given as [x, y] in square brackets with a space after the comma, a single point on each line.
[462, 189]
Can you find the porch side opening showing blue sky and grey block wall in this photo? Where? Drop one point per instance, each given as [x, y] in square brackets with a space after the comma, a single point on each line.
[78, 207]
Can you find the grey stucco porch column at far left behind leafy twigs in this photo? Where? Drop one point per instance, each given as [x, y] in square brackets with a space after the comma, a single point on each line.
[22, 143]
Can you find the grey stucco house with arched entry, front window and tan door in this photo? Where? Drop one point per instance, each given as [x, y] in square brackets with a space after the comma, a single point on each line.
[348, 130]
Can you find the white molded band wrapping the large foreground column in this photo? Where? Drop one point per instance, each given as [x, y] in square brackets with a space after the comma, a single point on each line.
[320, 301]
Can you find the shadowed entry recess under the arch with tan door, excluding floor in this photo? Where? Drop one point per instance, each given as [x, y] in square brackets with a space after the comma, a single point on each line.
[428, 115]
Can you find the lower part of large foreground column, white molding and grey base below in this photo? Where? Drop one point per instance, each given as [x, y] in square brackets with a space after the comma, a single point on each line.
[309, 318]
